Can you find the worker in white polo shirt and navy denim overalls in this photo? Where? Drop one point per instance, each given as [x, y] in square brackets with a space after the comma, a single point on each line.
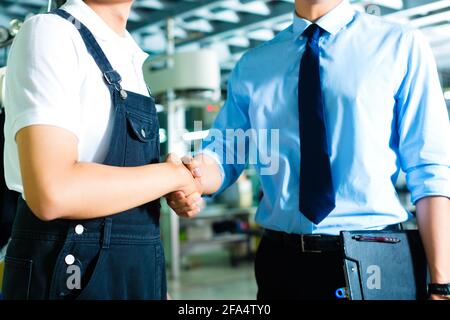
[82, 147]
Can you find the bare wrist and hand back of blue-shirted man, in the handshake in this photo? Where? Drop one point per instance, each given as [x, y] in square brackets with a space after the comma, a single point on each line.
[211, 176]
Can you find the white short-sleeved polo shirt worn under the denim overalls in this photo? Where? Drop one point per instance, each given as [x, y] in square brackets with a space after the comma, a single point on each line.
[52, 80]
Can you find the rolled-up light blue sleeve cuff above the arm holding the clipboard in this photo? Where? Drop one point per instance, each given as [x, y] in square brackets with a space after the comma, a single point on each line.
[429, 180]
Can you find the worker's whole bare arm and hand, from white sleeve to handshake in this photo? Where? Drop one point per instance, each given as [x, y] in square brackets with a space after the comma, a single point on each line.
[56, 185]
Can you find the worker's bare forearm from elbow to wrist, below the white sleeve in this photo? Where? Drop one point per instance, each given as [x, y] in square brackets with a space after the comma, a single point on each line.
[89, 190]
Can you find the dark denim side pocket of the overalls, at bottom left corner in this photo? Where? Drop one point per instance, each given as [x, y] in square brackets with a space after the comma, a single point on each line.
[17, 278]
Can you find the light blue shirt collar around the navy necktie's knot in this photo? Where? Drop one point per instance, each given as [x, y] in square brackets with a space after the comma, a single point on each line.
[332, 22]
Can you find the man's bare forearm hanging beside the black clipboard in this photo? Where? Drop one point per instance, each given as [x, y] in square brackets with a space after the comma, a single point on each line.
[433, 217]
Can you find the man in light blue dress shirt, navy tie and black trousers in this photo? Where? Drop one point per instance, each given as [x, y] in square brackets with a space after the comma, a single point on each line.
[359, 94]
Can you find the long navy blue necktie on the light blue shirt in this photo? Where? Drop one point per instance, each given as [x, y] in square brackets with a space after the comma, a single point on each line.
[317, 196]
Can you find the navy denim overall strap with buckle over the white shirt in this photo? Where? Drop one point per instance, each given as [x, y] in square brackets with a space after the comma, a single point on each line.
[111, 76]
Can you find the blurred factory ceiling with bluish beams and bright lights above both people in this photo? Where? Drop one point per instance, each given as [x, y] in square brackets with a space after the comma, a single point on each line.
[233, 26]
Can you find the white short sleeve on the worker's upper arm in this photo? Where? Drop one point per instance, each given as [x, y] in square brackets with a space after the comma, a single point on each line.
[44, 76]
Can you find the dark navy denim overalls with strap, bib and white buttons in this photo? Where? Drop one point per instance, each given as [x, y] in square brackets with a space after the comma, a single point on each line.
[117, 257]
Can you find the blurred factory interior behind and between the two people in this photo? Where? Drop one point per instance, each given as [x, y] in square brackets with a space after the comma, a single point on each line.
[193, 46]
